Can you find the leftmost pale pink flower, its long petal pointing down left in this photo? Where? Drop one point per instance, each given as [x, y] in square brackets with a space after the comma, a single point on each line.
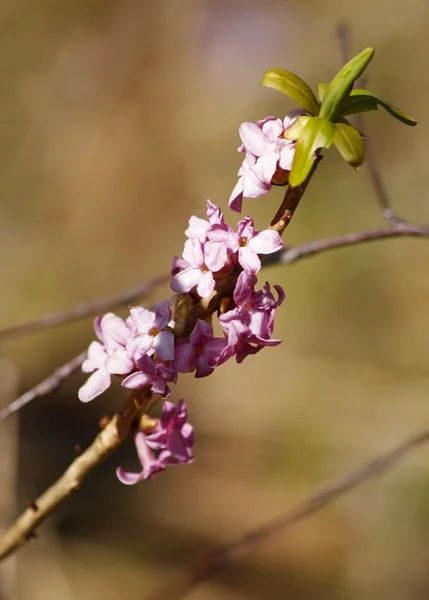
[108, 357]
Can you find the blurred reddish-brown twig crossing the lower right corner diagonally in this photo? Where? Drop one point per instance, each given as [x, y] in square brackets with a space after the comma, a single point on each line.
[221, 557]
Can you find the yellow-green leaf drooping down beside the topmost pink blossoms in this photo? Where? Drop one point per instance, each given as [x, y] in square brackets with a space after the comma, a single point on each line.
[318, 133]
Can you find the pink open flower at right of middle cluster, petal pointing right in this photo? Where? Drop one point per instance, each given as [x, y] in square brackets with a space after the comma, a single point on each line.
[248, 243]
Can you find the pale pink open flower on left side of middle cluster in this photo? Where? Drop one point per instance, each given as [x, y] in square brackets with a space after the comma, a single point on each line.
[203, 259]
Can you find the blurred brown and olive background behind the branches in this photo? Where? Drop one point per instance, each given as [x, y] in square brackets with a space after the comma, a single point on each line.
[118, 118]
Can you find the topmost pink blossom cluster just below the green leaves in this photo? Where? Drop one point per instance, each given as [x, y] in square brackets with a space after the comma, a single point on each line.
[268, 159]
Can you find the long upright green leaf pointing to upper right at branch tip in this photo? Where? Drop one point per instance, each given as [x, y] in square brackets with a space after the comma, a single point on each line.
[342, 84]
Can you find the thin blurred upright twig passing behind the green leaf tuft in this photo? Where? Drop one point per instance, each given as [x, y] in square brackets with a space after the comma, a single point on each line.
[376, 178]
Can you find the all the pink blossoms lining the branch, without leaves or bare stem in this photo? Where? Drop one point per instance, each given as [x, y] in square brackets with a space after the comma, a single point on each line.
[215, 276]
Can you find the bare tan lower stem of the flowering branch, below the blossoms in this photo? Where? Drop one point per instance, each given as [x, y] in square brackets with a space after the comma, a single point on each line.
[108, 440]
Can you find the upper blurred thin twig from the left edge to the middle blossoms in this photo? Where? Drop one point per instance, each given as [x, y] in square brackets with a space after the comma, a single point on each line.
[84, 310]
